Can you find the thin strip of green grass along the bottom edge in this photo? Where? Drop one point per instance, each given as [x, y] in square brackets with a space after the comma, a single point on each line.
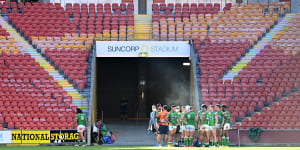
[135, 147]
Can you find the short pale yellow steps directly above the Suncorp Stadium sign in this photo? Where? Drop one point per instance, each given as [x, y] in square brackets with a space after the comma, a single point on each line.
[143, 27]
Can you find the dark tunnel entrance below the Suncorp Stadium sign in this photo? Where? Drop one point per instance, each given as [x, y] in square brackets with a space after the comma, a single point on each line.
[142, 82]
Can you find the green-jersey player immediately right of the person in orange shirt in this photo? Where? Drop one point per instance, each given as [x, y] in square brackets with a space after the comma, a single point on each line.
[173, 122]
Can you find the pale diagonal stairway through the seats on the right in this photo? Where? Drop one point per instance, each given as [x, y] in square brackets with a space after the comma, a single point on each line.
[256, 49]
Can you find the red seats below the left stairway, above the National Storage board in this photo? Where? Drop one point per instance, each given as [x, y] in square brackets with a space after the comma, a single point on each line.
[28, 90]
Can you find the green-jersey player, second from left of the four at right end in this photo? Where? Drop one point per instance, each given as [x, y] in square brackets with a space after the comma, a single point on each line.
[213, 121]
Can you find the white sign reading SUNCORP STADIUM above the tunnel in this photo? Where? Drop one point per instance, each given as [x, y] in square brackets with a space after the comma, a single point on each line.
[142, 49]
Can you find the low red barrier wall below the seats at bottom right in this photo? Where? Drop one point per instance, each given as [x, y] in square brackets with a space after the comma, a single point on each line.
[271, 137]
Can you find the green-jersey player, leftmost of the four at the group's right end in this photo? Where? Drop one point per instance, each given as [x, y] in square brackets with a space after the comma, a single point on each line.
[204, 127]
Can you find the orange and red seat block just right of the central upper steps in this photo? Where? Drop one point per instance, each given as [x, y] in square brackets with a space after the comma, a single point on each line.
[182, 24]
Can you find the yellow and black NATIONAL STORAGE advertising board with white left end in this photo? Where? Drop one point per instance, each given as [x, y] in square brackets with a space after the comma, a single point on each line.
[38, 136]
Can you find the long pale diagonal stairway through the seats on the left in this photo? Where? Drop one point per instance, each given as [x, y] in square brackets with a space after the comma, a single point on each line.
[77, 98]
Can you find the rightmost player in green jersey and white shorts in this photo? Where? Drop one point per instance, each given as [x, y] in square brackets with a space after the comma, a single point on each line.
[225, 125]
